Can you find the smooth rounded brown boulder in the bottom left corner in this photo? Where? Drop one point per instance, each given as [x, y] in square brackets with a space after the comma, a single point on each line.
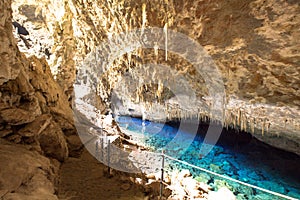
[25, 174]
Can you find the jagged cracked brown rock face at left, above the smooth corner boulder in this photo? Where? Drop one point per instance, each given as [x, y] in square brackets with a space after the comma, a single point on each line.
[31, 97]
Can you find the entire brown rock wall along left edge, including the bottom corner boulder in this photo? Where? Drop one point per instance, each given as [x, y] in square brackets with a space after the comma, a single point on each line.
[35, 120]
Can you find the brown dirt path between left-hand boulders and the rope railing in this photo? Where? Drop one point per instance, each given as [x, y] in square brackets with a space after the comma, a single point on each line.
[86, 178]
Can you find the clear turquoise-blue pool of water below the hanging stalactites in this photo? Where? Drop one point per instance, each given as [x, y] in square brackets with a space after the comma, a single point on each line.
[236, 155]
